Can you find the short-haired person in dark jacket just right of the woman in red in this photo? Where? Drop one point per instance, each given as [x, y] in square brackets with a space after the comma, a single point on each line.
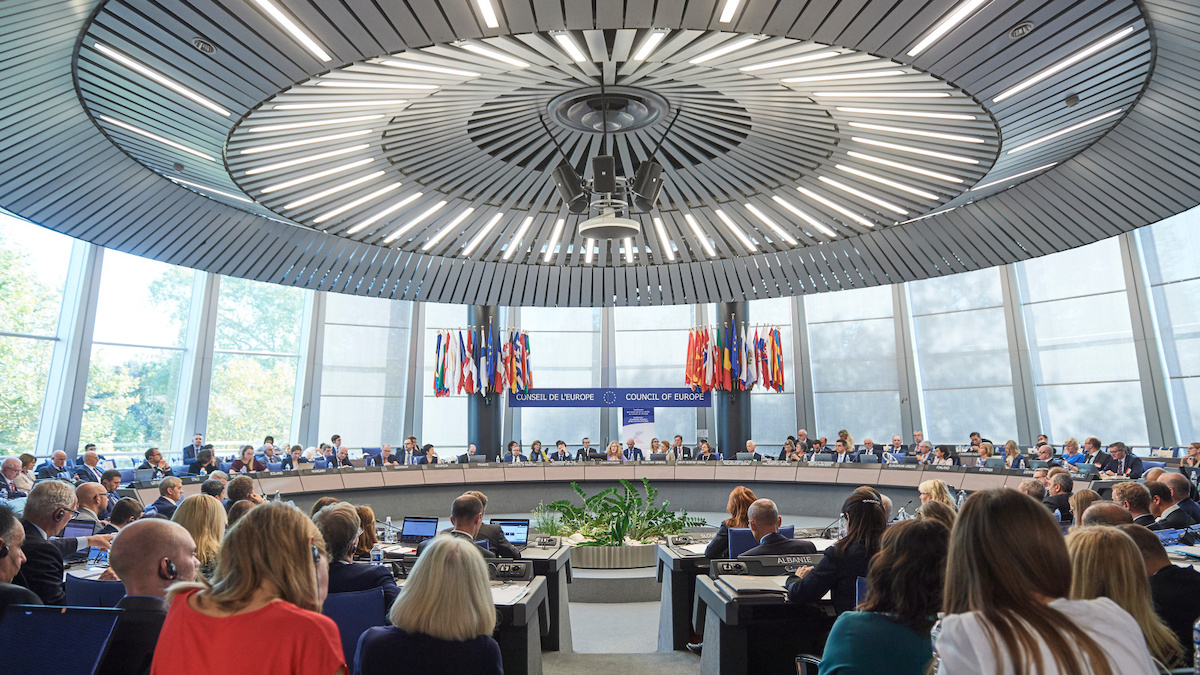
[340, 525]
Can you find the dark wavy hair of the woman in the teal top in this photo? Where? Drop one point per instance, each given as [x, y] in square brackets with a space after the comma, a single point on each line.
[907, 577]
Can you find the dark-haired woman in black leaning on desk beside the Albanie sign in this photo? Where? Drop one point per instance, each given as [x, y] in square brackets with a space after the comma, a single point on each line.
[845, 561]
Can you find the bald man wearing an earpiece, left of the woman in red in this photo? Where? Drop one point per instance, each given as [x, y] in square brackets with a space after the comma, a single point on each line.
[149, 557]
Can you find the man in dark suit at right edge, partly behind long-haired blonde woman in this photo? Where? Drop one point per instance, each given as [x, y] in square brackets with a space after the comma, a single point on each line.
[1174, 589]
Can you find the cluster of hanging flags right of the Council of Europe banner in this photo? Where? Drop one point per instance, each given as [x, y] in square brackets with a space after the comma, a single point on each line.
[727, 360]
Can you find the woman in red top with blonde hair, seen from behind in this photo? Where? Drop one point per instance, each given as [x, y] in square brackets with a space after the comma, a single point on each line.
[272, 571]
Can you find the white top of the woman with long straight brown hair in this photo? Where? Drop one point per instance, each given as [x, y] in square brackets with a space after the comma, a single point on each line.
[963, 644]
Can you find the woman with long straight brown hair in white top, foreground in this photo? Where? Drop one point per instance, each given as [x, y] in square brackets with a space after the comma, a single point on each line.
[1007, 580]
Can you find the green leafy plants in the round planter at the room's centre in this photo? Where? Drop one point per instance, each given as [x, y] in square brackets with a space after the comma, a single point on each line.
[614, 516]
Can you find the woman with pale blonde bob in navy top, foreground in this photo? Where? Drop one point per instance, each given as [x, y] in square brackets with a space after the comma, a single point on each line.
[443, 620]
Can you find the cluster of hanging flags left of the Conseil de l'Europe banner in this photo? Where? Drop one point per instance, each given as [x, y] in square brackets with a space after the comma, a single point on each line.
[482, 362]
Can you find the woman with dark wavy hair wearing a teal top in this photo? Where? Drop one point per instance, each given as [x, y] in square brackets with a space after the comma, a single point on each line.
[904, 595]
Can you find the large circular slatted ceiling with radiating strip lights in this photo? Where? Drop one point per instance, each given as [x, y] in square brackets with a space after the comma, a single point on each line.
[405, 151]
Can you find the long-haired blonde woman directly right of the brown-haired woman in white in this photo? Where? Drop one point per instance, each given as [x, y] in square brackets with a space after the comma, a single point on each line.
[1106, 564]
